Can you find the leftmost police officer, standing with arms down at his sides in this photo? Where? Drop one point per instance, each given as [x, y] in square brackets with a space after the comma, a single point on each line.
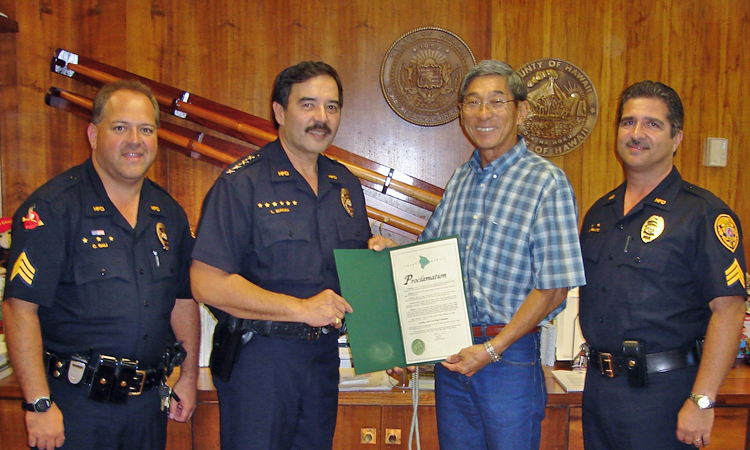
[93, 286]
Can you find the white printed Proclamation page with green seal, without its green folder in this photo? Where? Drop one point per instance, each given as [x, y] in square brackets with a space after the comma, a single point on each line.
[429, 288]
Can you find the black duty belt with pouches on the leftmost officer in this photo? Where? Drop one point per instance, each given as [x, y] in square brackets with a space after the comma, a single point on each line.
[118, 374]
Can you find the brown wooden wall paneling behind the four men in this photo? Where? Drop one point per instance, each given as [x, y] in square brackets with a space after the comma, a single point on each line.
[231, 51]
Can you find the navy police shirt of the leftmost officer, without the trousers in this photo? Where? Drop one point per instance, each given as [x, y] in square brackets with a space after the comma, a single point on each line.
[99, 283]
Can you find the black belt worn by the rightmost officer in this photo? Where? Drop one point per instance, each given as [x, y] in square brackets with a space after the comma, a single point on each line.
[612, 365]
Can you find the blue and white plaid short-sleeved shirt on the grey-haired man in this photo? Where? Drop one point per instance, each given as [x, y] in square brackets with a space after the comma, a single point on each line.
[517, 224]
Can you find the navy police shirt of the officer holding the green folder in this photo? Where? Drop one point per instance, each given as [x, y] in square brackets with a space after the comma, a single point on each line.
[262, 220]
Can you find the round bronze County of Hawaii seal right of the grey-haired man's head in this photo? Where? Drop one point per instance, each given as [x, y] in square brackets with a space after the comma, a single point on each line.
[563, 106]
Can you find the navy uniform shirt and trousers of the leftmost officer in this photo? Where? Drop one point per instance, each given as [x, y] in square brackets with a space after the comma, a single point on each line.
[103, 289]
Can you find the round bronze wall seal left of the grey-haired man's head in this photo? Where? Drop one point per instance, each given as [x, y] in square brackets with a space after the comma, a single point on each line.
[422, 73]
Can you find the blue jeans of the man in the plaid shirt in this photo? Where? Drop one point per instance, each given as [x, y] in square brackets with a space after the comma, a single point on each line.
[500, 407]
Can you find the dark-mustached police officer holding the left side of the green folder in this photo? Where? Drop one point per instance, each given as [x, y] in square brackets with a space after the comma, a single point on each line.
[264, 254]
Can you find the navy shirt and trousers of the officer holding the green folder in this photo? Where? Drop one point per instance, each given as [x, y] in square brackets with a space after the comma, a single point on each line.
[262, 221]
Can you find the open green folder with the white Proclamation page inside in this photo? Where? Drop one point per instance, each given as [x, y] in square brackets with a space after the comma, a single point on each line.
[409, 304]
